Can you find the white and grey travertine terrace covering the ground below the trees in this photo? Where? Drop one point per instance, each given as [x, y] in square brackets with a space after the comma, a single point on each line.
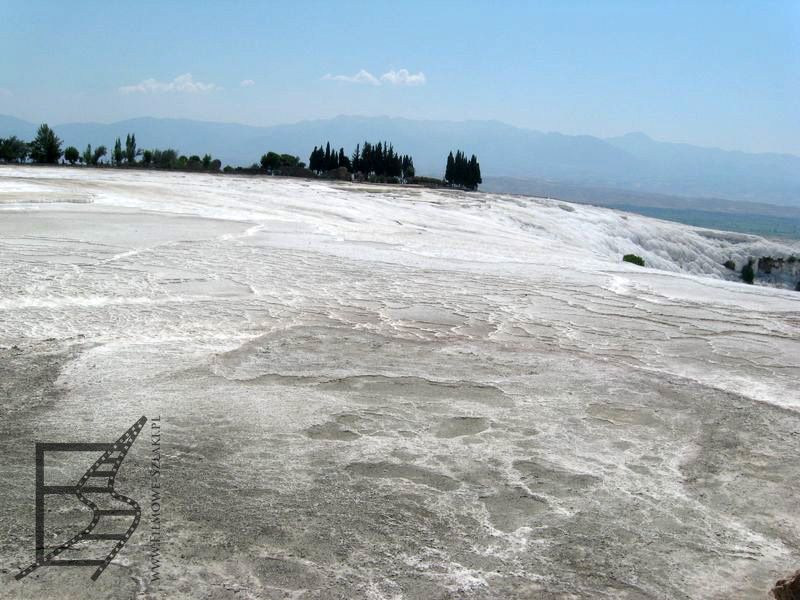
[390, 392]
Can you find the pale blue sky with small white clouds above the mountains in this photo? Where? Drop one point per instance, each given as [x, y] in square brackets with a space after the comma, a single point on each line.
[723, 74]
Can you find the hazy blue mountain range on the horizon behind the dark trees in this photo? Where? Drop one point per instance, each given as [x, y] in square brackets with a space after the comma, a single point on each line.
[633, 162]
